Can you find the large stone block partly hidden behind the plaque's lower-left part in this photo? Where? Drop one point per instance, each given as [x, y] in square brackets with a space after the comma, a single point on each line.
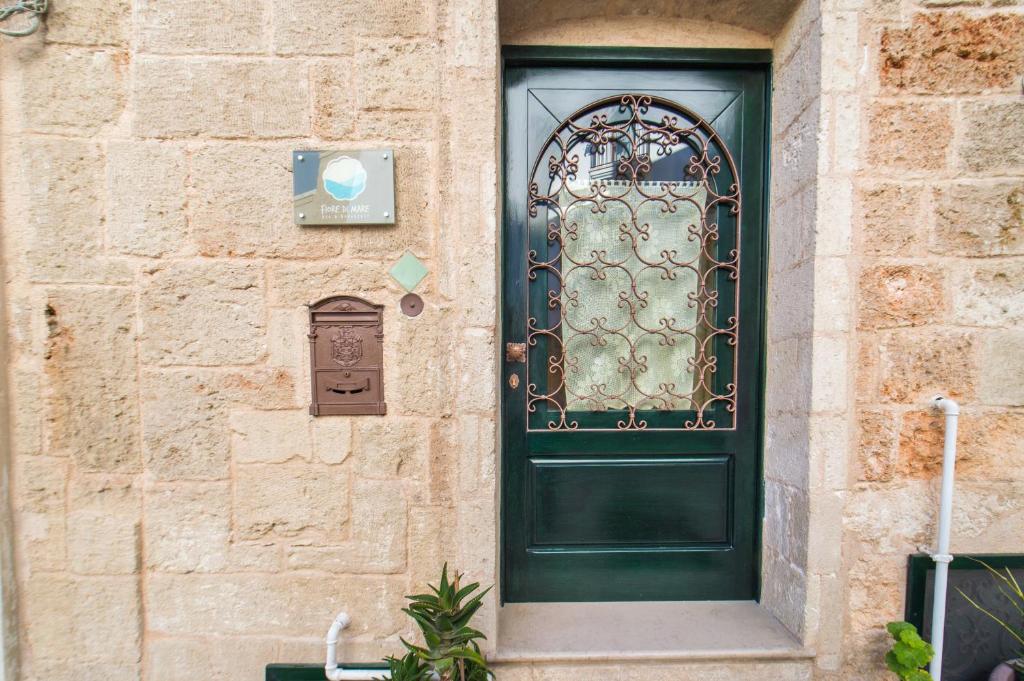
[251, 212]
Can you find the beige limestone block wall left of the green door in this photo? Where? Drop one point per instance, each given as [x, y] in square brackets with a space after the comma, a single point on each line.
[178, 512]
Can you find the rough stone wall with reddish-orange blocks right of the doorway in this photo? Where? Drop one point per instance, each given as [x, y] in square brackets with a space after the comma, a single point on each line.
[938, 235]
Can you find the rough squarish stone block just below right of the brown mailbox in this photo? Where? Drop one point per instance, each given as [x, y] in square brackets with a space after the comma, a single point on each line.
[387, 449]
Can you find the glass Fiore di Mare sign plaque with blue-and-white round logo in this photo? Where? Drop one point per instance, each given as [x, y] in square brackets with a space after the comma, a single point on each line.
[345, 188]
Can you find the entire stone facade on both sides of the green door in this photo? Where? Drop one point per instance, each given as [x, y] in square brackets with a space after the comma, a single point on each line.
[165, 473]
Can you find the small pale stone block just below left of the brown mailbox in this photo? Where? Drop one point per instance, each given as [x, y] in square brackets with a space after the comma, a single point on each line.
[271, 437]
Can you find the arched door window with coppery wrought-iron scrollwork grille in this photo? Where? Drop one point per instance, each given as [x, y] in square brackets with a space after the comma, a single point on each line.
[633, 271]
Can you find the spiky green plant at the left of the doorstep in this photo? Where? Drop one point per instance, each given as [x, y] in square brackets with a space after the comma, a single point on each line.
[451, 652]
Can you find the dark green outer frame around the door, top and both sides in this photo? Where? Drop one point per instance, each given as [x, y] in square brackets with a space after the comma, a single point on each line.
[656, 58]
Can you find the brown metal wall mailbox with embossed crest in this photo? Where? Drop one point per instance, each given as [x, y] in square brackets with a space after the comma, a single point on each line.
[347, 356]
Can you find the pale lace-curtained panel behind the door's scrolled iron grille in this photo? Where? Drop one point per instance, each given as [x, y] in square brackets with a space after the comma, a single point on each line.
[631, 269]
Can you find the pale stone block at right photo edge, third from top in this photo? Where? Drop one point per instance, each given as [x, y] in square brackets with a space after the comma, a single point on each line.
[976, 220]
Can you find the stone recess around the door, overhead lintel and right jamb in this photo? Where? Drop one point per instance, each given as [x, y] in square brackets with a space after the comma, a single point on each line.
[807, 425]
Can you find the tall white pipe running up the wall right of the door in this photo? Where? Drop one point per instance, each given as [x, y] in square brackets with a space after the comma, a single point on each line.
[943, 558]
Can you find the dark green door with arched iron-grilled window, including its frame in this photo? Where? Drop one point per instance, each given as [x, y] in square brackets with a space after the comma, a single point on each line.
[632, 309]
